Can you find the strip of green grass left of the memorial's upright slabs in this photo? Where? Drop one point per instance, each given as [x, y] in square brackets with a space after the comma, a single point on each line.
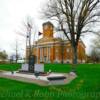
[10, 67]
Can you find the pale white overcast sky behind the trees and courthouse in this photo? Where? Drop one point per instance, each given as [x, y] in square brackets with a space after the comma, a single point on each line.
[12, 15]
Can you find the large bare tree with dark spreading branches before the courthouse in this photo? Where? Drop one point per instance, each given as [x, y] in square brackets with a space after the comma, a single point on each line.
[75, 17]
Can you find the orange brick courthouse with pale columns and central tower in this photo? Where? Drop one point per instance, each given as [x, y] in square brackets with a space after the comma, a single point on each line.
[55, 50]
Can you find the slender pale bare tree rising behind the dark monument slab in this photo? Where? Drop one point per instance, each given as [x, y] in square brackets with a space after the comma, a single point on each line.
[28, 29]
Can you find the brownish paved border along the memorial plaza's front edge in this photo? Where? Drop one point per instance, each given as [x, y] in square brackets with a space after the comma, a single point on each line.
[35, 81]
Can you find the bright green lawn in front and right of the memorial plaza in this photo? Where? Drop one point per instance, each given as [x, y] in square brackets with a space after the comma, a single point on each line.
[85, 87]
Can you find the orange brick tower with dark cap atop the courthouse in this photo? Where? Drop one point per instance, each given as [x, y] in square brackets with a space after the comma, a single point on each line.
[48, 30]
